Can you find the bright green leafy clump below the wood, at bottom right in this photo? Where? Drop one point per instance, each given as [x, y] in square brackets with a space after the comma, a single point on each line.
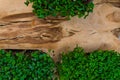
[98, 65]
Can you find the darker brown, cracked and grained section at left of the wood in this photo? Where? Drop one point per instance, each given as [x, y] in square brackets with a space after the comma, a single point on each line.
[26, 28]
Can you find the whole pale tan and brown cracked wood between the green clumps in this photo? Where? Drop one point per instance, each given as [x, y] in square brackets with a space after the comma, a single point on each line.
[20, 29]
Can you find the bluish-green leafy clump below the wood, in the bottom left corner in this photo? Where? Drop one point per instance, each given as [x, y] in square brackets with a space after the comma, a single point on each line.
[37, 66]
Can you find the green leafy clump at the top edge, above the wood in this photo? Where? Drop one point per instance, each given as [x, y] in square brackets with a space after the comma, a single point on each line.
[44, 8]
